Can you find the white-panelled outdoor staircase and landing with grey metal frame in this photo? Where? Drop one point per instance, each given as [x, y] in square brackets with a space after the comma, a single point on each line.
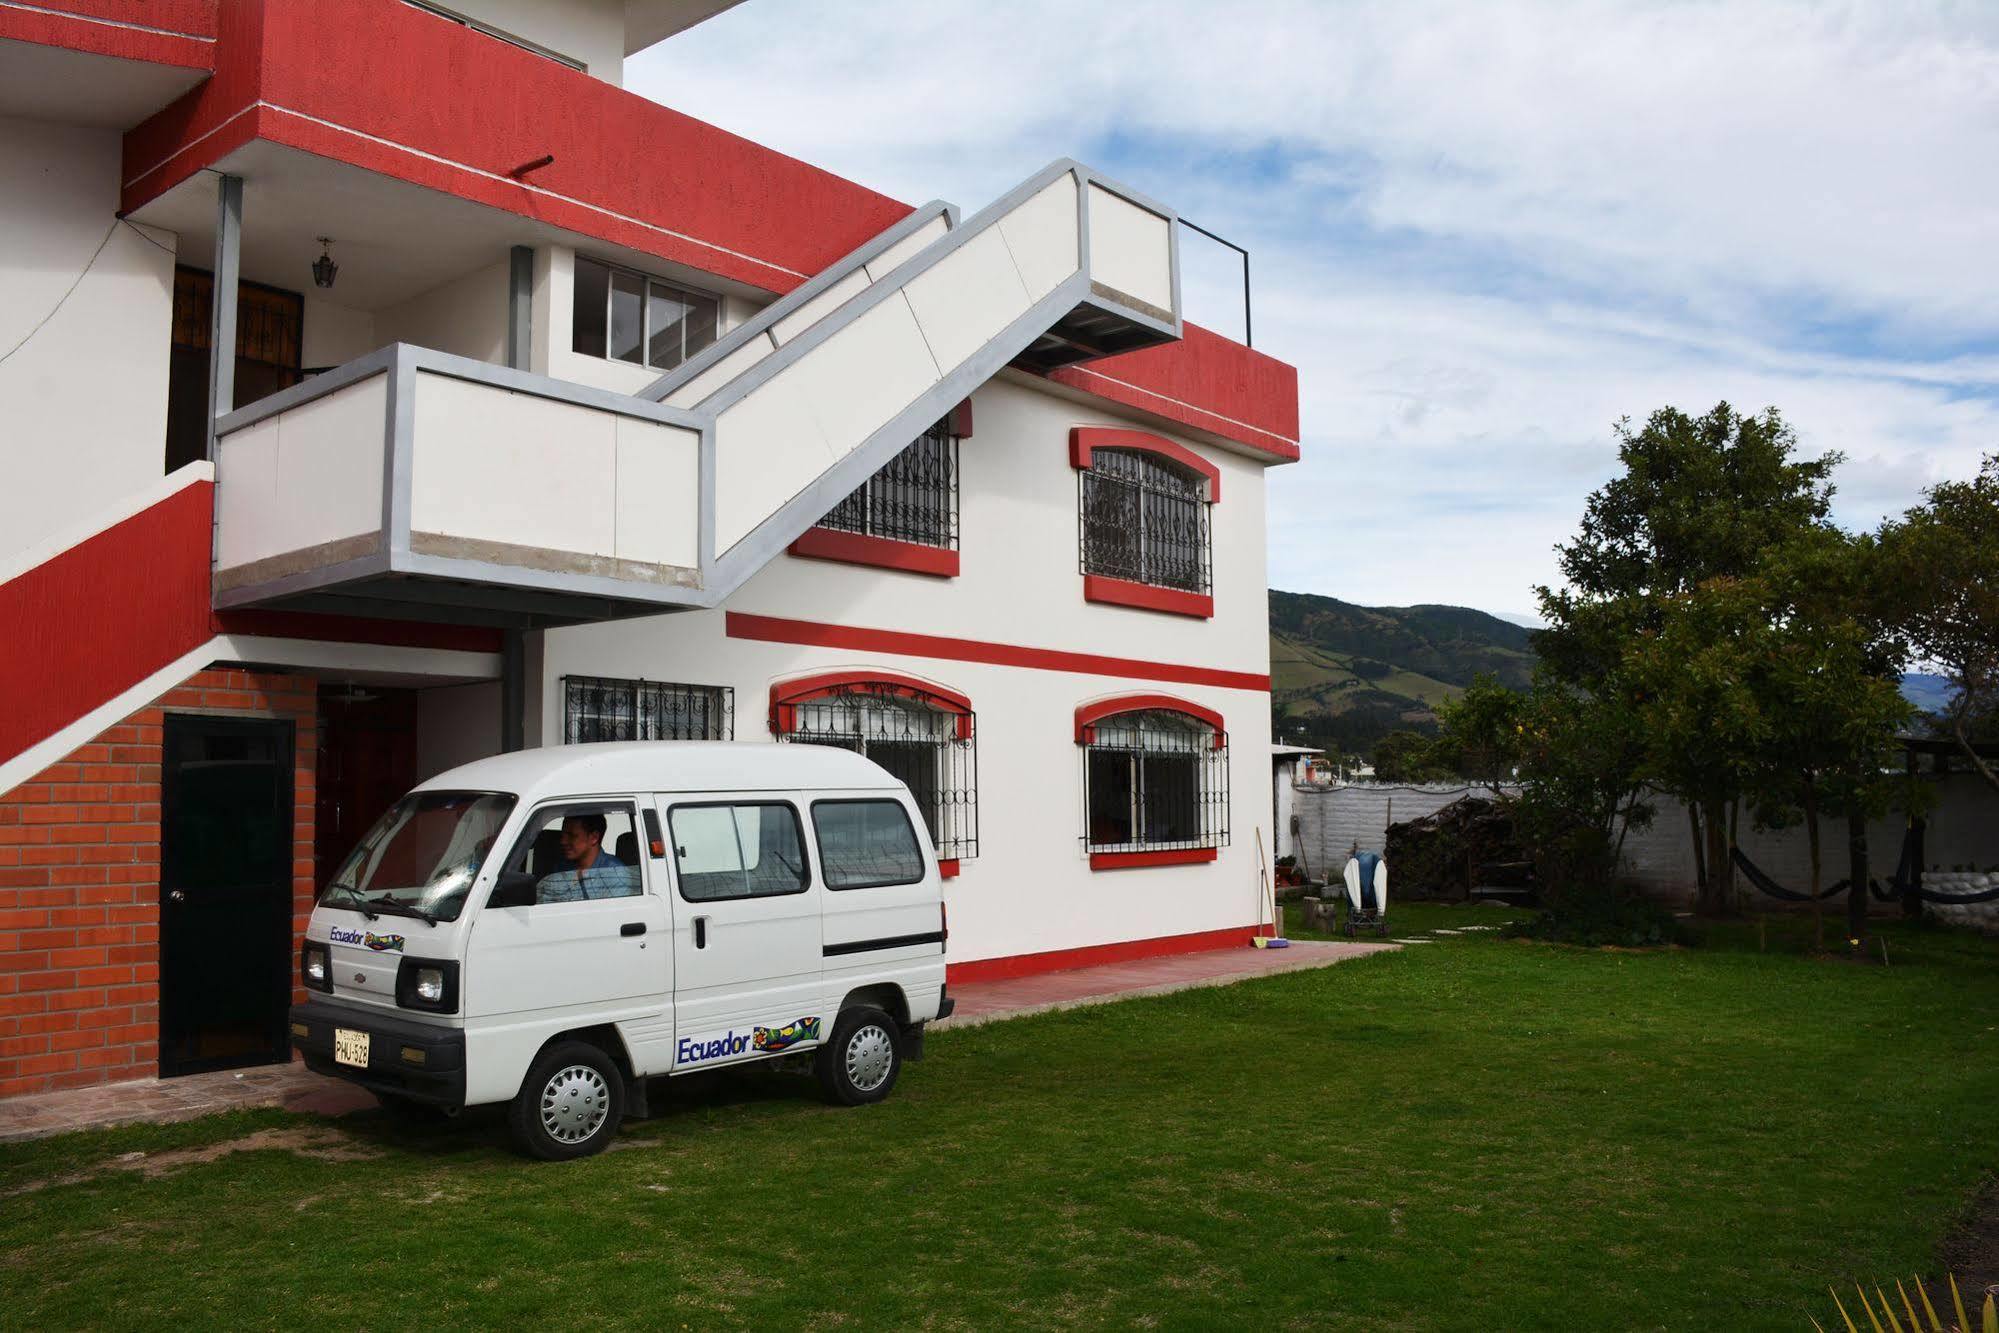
[429, 485]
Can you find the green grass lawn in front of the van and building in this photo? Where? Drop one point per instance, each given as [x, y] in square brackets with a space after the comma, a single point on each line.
[1472, 1134]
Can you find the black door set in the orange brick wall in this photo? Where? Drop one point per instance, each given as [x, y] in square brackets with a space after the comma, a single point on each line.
[225, 892]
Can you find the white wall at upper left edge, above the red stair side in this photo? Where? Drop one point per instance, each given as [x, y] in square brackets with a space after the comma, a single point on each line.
[87, 393]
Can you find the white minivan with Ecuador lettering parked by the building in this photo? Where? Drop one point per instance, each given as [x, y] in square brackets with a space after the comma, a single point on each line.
[557, 926]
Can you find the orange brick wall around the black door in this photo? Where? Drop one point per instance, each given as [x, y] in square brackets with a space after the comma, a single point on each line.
[81, 888]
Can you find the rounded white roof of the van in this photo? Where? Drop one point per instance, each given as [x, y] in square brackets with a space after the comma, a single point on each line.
[665, 766]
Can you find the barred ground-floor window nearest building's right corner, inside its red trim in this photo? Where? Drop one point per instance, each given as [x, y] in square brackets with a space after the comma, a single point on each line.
[1156, 780]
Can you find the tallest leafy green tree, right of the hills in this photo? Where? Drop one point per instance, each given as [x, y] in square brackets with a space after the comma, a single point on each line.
[1660, 569]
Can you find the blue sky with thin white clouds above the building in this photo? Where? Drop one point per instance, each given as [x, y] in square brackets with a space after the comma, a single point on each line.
[1482, 233]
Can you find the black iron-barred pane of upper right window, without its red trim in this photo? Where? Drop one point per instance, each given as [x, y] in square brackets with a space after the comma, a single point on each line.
[1144, 521]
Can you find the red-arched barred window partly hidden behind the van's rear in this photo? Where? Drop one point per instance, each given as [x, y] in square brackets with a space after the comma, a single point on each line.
[927, 748]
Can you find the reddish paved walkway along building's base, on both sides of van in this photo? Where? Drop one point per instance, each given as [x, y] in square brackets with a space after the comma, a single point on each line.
[297, 1088]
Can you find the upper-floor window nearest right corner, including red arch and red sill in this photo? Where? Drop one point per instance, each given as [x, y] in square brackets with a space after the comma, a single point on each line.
[1142, 507]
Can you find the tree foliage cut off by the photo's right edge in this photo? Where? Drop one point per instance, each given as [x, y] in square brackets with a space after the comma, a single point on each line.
[1944, 571]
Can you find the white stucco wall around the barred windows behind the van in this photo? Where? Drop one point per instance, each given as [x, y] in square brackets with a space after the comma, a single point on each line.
[1030, 888]
